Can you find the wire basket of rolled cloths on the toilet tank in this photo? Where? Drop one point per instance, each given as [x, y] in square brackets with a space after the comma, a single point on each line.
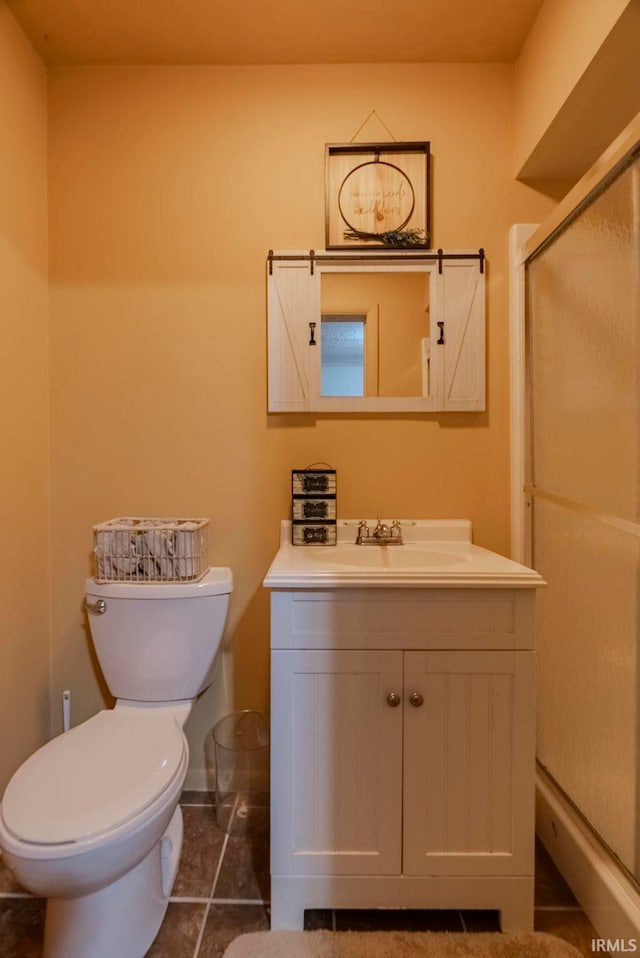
[148, 549]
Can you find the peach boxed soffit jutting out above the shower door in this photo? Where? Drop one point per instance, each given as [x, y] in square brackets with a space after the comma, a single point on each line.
[574, 90]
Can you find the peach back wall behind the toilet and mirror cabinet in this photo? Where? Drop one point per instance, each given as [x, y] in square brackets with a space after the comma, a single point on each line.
[168, 186]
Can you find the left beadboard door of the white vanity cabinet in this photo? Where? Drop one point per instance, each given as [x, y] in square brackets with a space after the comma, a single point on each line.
[336, 763]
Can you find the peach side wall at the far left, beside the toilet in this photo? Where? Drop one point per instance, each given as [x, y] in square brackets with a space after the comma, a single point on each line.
[24, 554]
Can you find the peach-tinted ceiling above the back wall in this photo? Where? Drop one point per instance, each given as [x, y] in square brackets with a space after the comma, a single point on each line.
[119, 32]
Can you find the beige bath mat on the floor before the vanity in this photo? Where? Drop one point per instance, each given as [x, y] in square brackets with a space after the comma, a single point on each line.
[398, 944]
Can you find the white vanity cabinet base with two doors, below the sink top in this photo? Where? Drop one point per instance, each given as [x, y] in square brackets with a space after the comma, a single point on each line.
[403, 728]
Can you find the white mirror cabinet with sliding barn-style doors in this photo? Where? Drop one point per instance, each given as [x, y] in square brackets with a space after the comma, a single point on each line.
[384, 331]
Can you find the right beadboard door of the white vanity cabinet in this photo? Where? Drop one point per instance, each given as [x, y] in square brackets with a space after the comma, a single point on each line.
[469, 763]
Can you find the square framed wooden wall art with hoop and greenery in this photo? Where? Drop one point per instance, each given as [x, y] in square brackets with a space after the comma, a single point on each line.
[377, 194]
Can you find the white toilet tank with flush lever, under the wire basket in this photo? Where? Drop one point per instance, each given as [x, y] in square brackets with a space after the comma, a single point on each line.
[158, 642]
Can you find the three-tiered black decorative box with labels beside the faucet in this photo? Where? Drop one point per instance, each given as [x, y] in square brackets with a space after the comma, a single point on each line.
[313, 493]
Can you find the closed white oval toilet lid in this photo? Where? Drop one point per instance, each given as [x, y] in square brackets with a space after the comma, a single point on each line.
[94, 777]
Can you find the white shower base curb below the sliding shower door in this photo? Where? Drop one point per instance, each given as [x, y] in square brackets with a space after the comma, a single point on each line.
[608, 898]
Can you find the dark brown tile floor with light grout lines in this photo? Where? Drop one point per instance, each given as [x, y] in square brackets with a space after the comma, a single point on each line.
[222, 890]
